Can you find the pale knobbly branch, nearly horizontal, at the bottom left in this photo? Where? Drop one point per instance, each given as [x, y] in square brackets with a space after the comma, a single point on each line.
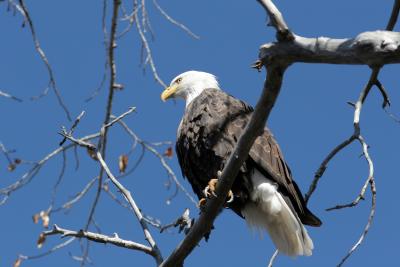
[115, 240]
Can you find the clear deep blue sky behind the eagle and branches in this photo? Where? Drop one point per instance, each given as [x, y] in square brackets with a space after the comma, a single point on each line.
[310, 117]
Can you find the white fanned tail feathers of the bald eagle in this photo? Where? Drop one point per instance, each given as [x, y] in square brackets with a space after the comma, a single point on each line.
[268, 210]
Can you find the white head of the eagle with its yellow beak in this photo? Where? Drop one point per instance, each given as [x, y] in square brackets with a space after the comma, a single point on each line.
[189, 85]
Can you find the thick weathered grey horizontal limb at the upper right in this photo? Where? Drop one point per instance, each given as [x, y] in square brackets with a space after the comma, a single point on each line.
[375, 48]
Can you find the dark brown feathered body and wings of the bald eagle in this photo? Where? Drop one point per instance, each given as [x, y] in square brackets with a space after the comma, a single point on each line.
[207, 135]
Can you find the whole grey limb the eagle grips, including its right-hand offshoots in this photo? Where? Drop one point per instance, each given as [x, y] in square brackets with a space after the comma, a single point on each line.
[374, 49]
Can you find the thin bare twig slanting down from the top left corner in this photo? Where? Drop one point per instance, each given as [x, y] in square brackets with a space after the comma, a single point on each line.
[42, 55]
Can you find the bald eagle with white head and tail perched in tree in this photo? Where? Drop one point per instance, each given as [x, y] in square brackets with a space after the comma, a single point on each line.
[264, 193]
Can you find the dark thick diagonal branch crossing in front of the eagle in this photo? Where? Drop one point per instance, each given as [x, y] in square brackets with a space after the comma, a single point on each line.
[253, 129]
